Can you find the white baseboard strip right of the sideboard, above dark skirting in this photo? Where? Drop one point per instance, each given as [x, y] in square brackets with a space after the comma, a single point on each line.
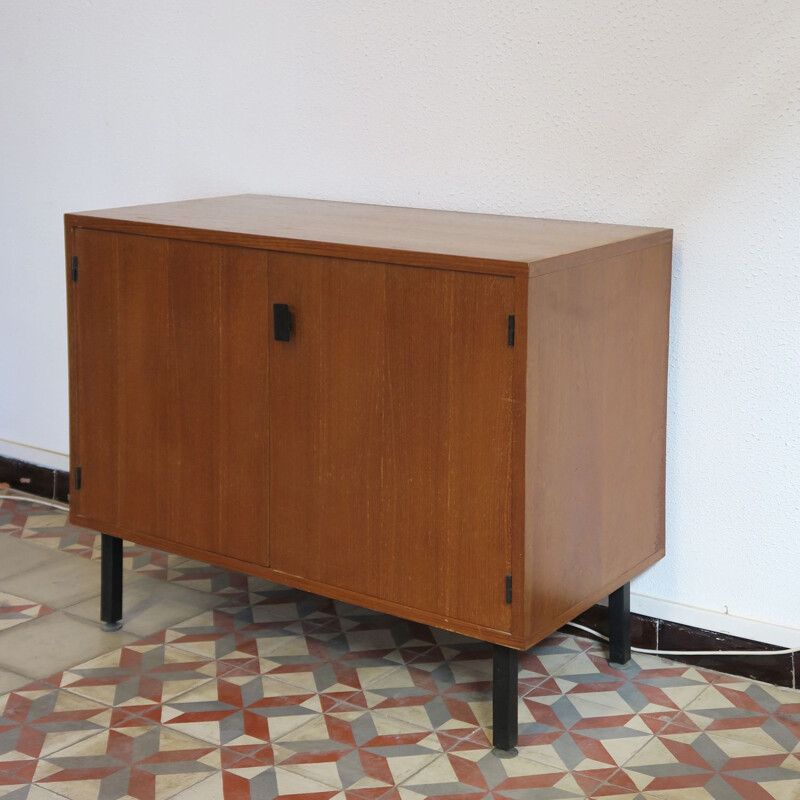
[715, 621]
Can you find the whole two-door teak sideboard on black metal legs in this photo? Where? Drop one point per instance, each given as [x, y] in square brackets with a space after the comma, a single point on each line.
[455, 418]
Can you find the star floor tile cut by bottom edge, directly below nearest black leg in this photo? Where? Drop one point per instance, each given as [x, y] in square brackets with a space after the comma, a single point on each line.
[480, 774]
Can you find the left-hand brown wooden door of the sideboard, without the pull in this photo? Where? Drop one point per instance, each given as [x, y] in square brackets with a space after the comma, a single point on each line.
[170, 370]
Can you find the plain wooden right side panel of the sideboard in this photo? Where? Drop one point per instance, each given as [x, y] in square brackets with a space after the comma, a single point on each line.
[597, 346]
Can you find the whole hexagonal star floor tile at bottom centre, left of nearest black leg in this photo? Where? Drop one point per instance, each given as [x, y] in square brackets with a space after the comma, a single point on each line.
[358, 750]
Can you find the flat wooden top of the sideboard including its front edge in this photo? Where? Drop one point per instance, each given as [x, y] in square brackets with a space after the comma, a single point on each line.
[278, 222]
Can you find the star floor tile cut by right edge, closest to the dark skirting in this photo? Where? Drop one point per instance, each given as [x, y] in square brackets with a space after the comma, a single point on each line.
[759, 713]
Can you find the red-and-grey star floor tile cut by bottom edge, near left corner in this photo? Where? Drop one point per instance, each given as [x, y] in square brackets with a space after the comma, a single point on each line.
[147, 763]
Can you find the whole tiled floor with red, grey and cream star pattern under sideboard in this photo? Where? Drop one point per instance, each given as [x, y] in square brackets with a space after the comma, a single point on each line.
[222, 686]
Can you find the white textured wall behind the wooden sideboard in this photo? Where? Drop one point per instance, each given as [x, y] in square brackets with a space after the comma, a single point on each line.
[679, 113]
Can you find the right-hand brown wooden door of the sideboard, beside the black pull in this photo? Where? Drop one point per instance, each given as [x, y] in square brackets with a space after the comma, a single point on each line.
[390, 420]
